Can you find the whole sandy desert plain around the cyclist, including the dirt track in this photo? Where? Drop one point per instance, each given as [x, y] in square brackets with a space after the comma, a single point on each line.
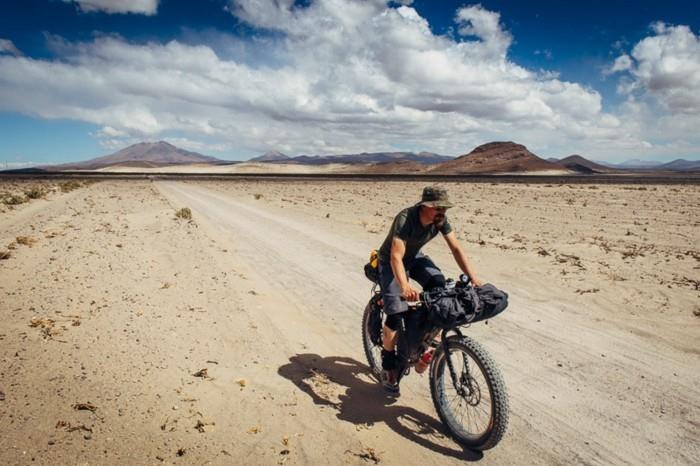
[110, 305]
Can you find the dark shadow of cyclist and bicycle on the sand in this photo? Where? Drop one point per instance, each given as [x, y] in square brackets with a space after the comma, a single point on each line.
[364, 402]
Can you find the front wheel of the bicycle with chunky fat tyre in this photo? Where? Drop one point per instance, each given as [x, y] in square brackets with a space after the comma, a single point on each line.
[475, 408]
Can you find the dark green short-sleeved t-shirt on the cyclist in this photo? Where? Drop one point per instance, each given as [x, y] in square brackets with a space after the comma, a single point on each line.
[407, 226]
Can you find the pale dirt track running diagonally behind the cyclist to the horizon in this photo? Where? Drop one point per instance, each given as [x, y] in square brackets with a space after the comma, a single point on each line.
[587, 411]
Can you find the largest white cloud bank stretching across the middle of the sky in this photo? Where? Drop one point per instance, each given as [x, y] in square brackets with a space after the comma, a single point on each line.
[336, 76]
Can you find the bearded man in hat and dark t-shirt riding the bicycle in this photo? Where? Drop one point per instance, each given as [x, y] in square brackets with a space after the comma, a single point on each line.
[400, 257]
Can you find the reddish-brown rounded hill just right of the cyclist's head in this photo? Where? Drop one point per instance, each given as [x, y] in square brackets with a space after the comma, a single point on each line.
[497, 157]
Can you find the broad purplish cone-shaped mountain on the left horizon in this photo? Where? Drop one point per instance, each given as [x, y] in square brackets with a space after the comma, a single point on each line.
[144, 154]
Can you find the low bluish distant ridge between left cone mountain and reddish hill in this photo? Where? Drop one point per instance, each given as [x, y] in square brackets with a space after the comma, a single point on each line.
[425, 158]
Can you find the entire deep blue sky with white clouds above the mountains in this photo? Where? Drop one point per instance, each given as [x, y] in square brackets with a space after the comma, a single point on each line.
[235, 78]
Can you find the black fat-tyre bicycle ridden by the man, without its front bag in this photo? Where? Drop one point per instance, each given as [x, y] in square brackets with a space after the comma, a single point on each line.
[466, 386]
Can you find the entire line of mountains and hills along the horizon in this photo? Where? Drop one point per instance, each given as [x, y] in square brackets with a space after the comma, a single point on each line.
[490, 158]
